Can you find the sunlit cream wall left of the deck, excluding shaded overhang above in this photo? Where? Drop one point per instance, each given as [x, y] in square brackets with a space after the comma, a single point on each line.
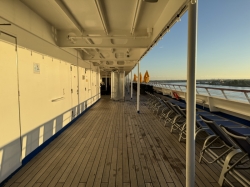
[52, 93]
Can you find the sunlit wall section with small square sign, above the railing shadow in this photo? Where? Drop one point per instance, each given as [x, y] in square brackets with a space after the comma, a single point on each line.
[42, 91]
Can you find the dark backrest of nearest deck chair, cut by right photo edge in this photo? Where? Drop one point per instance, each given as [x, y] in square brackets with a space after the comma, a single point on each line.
[242, 141]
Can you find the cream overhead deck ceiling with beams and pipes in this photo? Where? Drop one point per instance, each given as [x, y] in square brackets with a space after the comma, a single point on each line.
[112, 34]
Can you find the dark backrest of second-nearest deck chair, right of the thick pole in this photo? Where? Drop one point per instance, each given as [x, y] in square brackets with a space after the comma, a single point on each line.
[219, 132]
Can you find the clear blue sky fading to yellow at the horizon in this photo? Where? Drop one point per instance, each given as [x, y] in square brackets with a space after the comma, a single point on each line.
[223, 45]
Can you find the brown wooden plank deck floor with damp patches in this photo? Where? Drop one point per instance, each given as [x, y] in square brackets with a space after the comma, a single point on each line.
[112, 145]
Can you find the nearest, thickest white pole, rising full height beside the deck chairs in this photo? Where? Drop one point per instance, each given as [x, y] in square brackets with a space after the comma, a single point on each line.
[191, 93]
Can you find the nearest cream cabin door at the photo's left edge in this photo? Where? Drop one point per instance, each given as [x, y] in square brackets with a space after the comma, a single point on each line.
[10, 144]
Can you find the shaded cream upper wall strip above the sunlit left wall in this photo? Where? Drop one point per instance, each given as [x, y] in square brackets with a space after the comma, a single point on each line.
[32, 31]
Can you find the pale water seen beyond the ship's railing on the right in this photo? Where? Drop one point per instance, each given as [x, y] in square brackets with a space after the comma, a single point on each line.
[231, 95]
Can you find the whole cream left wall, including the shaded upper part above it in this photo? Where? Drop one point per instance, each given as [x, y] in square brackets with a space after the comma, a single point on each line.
[46, 101]
